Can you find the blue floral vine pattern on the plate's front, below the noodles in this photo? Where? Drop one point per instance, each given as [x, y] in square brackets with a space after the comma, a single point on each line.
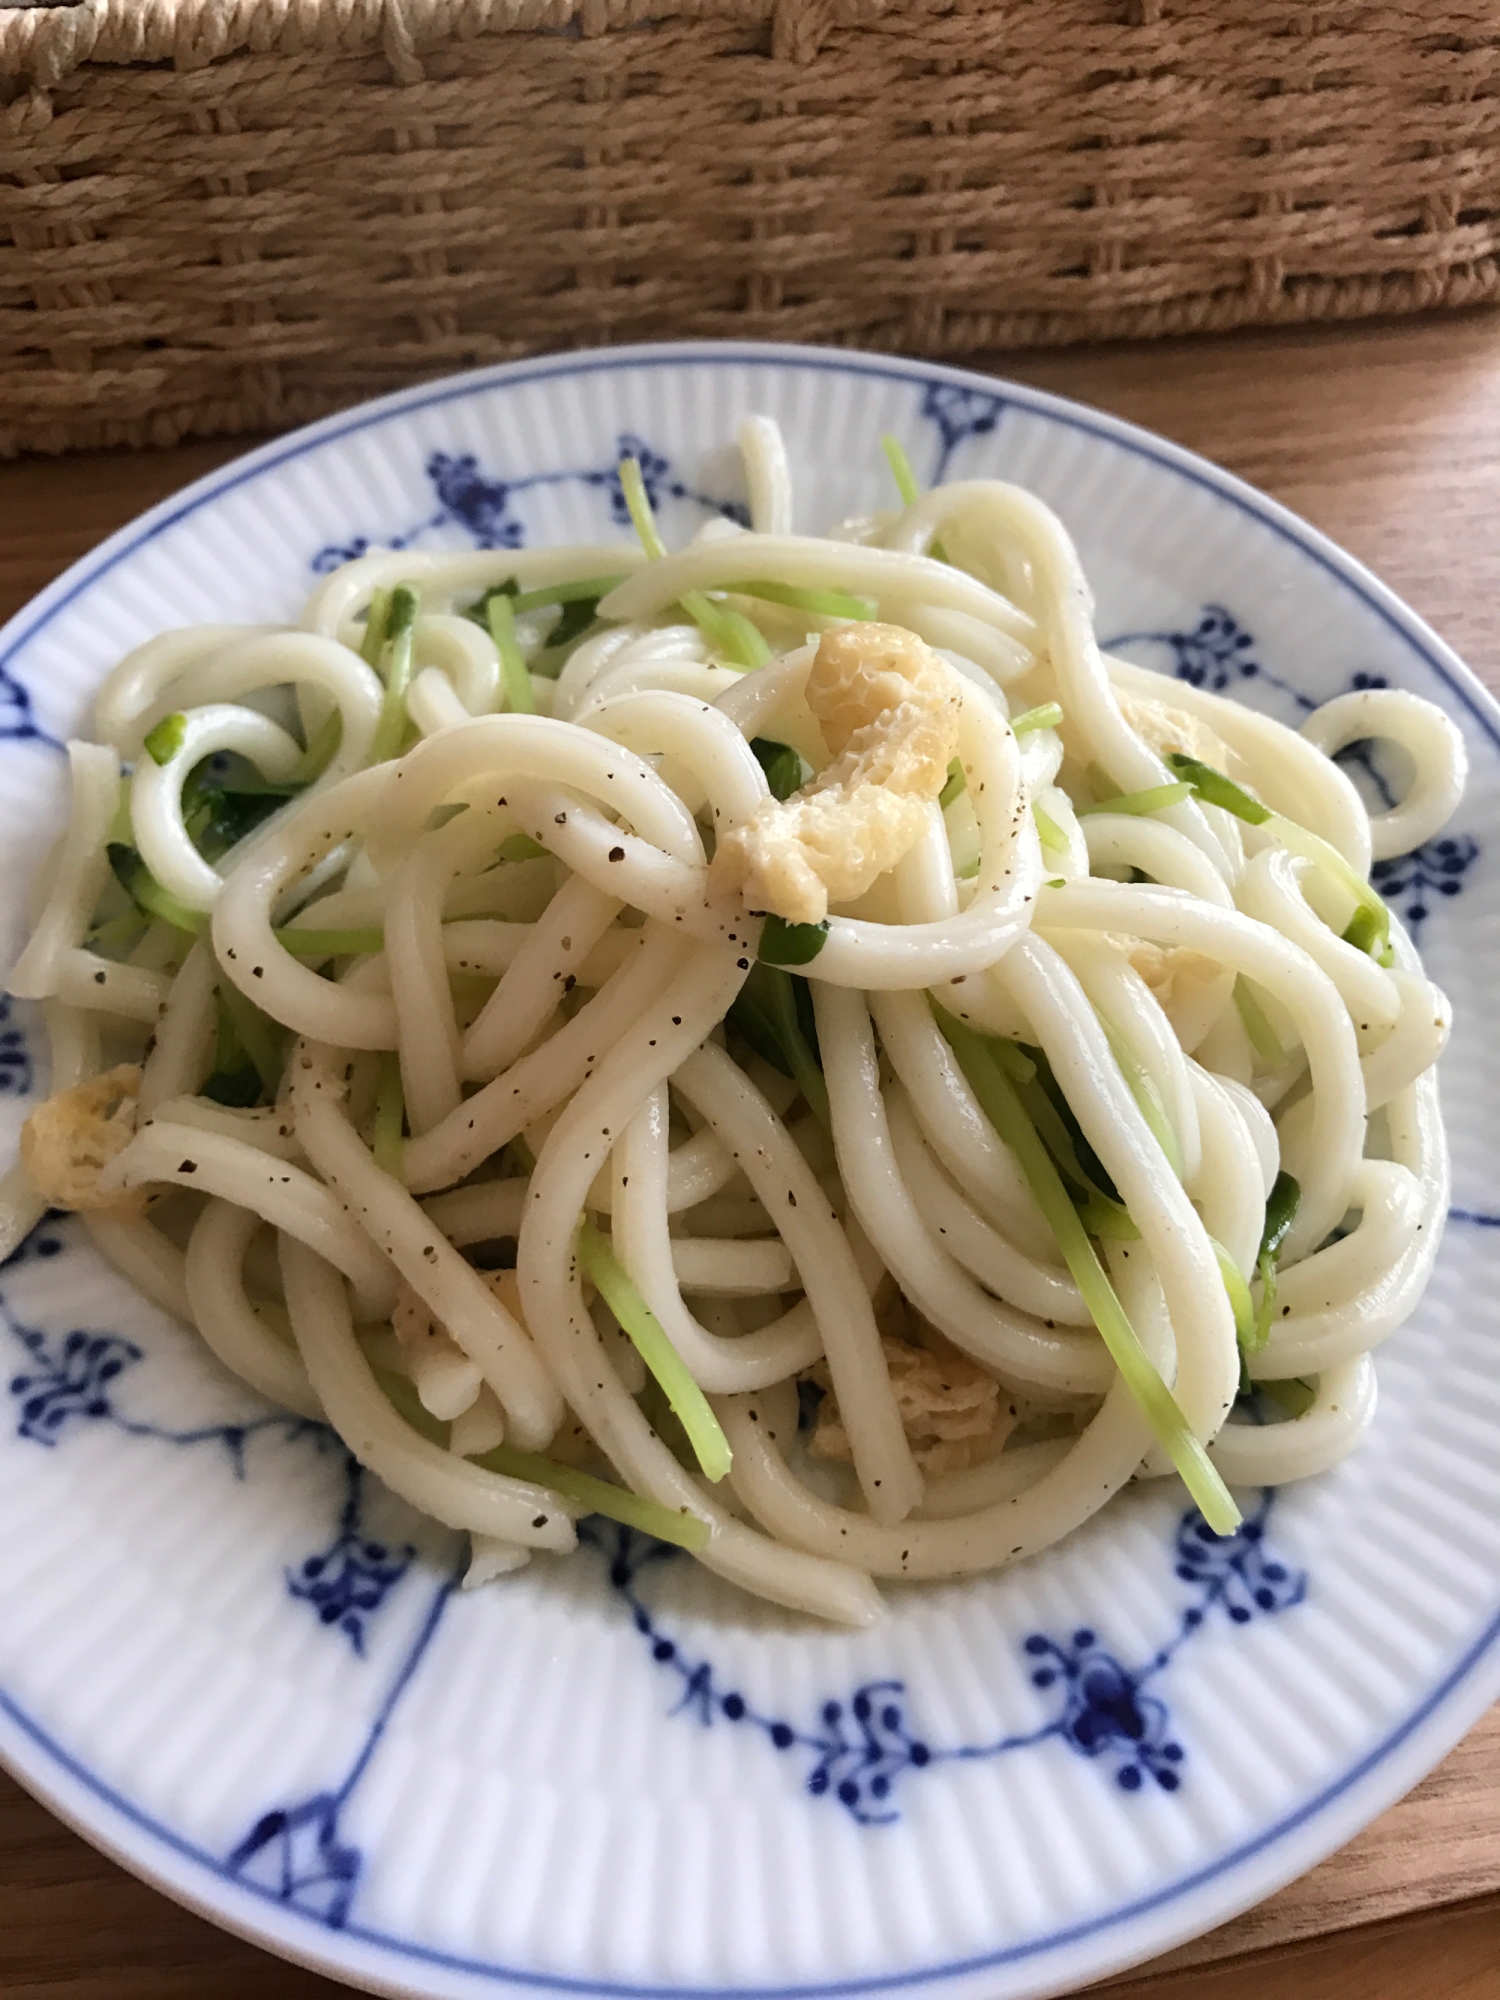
[859, 1747]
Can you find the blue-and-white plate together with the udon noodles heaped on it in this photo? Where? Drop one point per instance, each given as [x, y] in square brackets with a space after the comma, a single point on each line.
[733, 1265]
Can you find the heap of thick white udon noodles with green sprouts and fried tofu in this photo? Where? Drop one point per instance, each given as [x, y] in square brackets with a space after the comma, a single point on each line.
[779, 1043]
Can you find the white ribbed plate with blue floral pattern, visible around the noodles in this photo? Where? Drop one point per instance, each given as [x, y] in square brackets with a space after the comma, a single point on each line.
[247, 1673]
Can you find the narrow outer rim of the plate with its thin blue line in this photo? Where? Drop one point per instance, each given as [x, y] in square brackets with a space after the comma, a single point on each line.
[1247, 1873]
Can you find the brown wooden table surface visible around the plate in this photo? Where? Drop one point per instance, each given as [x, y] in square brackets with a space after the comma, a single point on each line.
[1389, 439]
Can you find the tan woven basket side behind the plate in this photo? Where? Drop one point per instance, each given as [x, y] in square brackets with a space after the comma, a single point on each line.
[227, 215]
